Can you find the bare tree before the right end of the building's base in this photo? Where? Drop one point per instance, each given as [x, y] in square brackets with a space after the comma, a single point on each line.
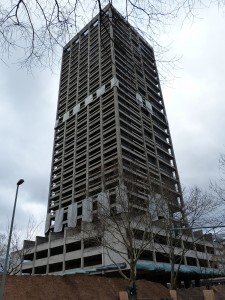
[199, 209]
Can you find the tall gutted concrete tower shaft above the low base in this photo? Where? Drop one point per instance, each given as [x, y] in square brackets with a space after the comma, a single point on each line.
[110, 113]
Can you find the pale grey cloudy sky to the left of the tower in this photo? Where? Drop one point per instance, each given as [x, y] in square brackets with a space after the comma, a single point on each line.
[27, 114]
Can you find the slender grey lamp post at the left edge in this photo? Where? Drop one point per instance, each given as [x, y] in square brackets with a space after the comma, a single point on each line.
[9, 242]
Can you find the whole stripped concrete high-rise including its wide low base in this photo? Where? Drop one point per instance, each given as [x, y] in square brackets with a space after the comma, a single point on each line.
[110, 122]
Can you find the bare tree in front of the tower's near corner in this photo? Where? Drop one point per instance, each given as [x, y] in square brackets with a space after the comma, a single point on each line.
[124, 225]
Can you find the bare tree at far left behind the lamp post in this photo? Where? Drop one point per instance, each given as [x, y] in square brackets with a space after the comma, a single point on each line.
[17, 251]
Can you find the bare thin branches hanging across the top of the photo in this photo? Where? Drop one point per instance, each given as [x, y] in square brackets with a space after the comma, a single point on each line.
[35, 29]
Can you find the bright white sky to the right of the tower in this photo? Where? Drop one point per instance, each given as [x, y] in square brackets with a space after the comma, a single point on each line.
[195, 103]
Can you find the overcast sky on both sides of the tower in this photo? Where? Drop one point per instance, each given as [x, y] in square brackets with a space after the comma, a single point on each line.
[194, 102]
